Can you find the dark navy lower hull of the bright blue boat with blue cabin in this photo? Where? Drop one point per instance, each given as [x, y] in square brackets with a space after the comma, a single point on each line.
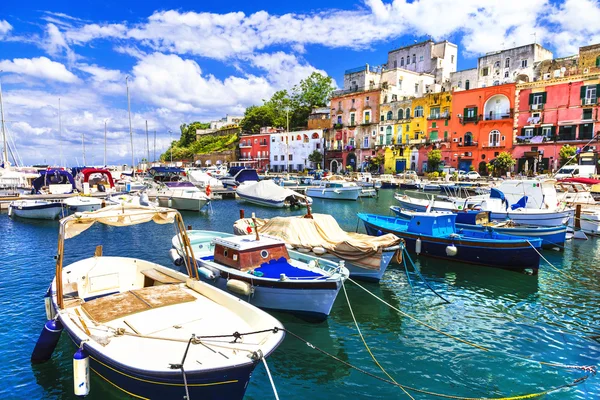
[490, 254]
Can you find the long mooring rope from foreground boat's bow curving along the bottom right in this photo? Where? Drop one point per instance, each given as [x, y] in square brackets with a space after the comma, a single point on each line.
[519, 397]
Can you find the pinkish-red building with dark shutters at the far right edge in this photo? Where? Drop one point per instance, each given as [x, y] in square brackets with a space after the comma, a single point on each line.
[552, 113]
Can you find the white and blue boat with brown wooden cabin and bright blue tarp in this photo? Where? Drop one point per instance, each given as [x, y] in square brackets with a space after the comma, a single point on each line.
[263, 273]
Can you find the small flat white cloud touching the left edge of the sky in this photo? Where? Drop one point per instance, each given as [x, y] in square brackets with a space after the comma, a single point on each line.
[40, 67]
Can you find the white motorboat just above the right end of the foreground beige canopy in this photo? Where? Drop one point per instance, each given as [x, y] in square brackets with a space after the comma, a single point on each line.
[181, 195]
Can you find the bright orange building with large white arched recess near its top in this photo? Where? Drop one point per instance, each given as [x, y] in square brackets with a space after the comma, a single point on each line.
[483, 127]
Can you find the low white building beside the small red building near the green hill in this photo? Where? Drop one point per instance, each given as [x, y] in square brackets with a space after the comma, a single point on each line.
[290, 150]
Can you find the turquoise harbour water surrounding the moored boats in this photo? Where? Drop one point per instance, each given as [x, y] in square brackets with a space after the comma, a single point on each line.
[545, 317]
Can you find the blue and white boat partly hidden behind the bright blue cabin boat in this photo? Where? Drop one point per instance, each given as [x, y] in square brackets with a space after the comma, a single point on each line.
[473, 220]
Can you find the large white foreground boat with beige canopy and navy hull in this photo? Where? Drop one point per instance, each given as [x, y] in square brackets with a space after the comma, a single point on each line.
[147, 329]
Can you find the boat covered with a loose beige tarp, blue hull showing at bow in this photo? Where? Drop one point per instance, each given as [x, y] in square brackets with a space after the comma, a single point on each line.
[366, 257]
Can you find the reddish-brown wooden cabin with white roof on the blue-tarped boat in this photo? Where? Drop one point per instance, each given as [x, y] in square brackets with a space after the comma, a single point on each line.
[246, 253]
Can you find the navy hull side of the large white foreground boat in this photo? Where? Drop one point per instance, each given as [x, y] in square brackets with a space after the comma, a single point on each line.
[227, 383]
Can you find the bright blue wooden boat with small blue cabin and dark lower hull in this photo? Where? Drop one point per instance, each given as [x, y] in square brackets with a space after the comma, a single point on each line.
[435, 235]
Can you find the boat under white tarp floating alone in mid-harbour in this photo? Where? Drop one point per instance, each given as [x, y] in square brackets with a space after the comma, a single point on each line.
[268, 193]
